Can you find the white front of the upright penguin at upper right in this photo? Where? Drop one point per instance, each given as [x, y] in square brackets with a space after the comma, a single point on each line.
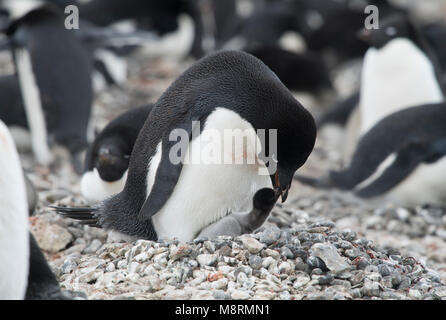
[397, 76]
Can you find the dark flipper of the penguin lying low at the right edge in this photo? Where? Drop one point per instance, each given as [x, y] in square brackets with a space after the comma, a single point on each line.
[405, 163]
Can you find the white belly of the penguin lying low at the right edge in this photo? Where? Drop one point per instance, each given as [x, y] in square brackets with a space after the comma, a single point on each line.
[425, 185]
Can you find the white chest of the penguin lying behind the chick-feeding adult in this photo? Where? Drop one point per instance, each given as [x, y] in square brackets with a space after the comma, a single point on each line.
[94, 189]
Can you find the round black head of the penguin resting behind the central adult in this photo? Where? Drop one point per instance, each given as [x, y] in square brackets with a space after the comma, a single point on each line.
[111, 159]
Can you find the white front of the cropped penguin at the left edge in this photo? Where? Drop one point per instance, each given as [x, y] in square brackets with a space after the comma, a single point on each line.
[14, 233]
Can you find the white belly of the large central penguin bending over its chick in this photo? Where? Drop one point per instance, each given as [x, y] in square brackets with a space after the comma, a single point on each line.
[204, 192]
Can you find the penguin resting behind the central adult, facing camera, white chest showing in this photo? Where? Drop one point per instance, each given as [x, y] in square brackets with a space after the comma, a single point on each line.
[107, 158]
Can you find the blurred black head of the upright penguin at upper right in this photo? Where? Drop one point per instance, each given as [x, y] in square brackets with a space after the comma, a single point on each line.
[392, 27]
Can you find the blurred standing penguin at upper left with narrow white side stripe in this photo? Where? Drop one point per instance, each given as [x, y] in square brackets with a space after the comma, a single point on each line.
[54, 72]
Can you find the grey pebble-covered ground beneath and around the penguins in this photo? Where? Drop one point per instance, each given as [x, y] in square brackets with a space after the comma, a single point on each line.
[320, 244]
